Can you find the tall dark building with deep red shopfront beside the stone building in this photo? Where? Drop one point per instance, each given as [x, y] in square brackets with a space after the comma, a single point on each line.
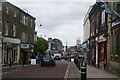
[98, 39]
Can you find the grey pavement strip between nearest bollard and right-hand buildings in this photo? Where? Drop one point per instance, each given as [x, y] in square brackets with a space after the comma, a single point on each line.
[93, 72]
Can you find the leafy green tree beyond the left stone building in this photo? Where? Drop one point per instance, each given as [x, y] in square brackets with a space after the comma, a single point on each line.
[41, 45]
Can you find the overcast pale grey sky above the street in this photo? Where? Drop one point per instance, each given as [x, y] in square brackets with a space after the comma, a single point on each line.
[62, 19]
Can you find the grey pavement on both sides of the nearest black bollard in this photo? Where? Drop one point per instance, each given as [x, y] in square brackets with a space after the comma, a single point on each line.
[92, 73]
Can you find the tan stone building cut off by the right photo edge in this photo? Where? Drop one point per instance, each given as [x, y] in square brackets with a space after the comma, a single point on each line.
[113, 43]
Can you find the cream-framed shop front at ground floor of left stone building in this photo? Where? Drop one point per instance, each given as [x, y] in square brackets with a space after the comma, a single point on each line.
[11, 51]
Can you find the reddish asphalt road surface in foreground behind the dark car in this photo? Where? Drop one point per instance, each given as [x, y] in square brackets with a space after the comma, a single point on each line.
[37, 71]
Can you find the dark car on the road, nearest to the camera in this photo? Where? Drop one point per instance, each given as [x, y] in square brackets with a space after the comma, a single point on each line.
[47, 60]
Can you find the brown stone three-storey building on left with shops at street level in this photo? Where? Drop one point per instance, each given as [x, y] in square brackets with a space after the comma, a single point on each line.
[18, 29]
